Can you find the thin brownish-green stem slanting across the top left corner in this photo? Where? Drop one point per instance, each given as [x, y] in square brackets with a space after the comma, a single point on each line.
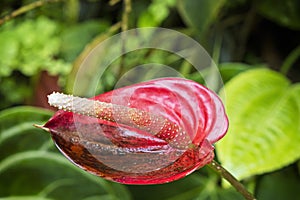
[25, 9]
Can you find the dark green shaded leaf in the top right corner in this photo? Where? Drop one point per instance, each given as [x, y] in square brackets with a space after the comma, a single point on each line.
[285, 13]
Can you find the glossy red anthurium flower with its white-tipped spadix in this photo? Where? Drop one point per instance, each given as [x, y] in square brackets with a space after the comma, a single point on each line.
[148, 133]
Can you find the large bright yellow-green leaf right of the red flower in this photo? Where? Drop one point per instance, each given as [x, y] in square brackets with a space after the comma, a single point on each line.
[264, 115]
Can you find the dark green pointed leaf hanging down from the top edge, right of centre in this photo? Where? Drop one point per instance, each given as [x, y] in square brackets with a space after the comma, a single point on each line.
[200, 14]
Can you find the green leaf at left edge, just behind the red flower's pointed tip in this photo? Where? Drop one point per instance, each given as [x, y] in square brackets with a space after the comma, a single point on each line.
[16, 123]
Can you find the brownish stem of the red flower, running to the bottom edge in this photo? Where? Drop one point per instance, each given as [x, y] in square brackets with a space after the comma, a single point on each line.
[231, 179]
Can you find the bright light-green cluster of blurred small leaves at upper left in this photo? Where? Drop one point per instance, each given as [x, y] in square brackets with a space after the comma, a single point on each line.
[30, 39]
